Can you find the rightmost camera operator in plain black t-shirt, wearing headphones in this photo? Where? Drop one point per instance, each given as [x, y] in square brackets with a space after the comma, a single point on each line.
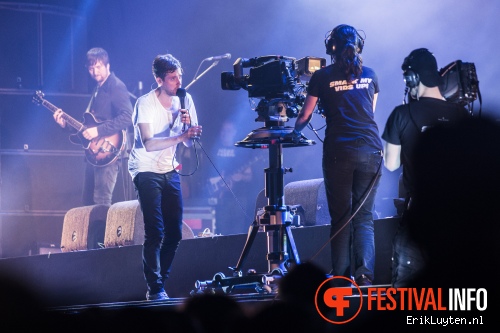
[427, 108]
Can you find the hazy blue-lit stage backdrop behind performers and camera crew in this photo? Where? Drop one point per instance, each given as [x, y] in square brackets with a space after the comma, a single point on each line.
[43, 46]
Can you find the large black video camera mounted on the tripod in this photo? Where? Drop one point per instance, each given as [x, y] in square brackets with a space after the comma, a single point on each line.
[279, 81]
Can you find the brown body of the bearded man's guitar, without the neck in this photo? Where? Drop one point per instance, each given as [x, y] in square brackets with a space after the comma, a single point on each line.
[100, 151]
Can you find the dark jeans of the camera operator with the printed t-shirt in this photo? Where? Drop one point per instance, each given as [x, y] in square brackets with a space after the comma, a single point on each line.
[348, 176]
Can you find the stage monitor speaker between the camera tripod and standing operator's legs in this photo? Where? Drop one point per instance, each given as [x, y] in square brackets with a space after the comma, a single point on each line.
[310, 194]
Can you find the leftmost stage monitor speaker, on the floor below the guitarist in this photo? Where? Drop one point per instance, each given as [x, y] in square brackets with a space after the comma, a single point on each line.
[83, 228]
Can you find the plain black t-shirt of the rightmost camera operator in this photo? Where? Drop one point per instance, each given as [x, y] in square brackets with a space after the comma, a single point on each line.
[407, 121]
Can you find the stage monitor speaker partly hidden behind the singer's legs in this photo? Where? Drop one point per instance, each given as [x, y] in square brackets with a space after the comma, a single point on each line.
[125, 225]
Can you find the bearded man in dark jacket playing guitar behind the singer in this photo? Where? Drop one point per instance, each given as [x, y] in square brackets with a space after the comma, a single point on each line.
[111, 106]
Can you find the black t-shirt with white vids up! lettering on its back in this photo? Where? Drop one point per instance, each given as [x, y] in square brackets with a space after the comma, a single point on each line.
[348, 107]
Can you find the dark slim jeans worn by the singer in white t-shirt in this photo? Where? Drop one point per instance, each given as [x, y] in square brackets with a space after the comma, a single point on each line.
[160, 198]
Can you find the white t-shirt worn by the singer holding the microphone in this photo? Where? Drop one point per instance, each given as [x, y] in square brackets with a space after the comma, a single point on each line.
[165, 123]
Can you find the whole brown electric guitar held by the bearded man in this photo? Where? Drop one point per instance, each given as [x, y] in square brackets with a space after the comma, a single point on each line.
[99, 151]
